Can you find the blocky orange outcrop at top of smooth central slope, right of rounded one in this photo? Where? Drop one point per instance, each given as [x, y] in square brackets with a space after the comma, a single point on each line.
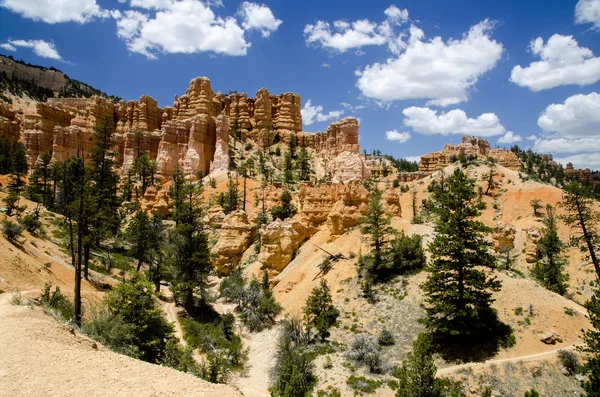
[279, 240]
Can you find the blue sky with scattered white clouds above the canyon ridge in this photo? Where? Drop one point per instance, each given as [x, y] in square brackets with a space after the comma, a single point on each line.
[417, 74]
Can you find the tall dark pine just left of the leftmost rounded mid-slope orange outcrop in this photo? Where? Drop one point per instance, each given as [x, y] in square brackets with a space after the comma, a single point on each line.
[189, 254]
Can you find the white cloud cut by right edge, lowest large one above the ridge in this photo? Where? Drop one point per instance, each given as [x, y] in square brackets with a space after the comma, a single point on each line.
[577, 117]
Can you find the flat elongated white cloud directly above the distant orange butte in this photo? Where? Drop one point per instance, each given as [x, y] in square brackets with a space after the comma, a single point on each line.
[427, 121]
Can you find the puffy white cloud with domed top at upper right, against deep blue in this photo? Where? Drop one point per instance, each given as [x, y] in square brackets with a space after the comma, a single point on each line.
[563, 62]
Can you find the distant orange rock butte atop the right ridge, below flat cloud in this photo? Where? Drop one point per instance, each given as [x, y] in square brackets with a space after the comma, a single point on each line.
[470, 146]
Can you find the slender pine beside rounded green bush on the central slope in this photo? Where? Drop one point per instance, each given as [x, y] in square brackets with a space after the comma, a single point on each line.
[377, 224]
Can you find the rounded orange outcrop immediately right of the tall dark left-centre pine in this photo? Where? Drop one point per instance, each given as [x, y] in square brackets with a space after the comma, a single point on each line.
[236, 235]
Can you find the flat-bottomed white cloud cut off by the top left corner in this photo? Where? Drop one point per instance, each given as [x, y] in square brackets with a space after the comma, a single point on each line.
[56, 11]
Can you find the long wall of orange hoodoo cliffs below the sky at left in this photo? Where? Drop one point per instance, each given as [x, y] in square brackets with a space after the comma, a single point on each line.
[192, 134]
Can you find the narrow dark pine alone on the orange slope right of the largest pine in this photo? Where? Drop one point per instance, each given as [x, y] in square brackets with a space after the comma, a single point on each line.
[550, 271]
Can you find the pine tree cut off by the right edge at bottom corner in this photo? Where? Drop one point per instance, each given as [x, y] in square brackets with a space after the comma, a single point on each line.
[591, 347]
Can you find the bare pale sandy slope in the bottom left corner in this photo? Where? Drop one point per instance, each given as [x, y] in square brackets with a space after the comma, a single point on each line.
[40, 357]
